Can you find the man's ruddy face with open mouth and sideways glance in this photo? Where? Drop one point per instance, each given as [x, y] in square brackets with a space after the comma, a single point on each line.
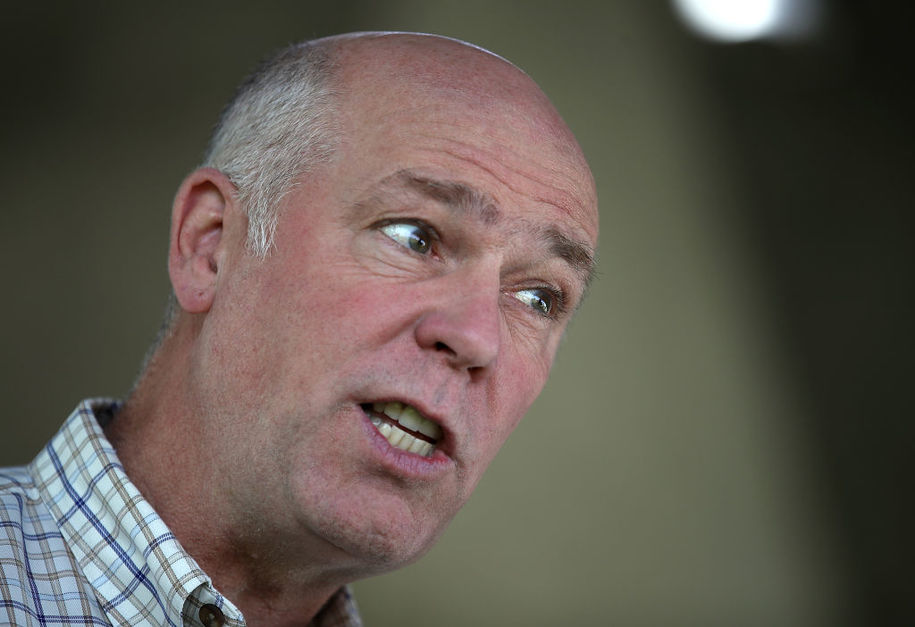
[433, 266]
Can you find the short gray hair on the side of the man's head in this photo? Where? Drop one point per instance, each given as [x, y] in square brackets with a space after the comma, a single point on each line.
[276, 128]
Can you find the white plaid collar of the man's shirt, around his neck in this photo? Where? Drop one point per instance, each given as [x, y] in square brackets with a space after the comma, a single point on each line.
[139, 570]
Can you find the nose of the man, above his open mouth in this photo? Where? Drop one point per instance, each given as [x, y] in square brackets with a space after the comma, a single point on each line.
[463, 324]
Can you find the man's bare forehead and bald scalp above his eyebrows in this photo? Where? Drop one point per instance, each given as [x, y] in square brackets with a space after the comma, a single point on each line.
[469, 117]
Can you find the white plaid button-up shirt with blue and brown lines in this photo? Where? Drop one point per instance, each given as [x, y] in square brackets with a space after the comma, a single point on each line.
[79, 545]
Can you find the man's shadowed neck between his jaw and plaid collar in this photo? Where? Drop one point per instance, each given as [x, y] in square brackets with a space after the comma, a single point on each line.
[275, 576]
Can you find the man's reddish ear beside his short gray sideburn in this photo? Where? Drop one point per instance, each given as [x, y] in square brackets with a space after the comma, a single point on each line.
[196, 246]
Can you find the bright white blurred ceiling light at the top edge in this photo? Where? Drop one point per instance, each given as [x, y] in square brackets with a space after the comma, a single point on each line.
[745, 20]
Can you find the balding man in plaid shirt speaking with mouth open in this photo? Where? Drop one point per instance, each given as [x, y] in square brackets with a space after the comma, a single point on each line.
[372, 274]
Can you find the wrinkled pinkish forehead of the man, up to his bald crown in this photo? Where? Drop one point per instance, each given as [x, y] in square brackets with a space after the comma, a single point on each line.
[413, 92]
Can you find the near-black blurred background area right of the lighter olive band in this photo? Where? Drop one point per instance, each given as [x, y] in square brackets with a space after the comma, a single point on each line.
[825, 135]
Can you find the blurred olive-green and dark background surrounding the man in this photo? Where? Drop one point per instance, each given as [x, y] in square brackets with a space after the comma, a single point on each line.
[727, 433]
